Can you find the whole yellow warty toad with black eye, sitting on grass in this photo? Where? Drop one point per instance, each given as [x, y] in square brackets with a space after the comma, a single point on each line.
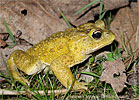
[61, 51]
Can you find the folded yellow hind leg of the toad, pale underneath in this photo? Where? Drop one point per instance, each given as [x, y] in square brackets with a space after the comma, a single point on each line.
[24, 62]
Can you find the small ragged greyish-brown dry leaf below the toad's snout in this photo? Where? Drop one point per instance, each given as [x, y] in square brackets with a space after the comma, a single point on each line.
[110, 70]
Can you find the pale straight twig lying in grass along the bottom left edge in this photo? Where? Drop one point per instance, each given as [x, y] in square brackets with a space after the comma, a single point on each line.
[41, 92]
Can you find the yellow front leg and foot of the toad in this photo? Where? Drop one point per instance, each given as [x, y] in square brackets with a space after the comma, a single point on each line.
[61, 68]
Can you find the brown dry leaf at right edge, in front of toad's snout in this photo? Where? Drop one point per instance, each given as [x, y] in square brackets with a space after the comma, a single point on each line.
[126, 22]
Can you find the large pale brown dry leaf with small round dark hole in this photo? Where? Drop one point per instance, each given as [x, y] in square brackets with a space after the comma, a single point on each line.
[29, 16]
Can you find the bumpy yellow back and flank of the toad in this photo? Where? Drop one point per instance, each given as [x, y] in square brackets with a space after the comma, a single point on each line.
[58, 43]
